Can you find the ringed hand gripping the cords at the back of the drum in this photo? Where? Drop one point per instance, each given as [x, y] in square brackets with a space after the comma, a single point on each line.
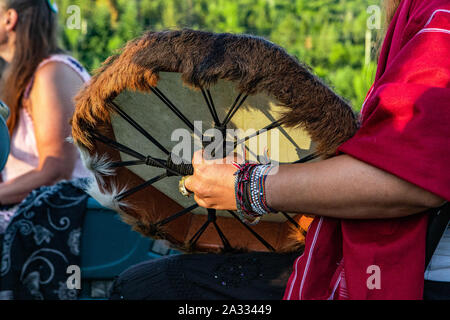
[213, 182]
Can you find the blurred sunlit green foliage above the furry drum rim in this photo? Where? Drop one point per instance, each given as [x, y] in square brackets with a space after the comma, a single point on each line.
[328, 35]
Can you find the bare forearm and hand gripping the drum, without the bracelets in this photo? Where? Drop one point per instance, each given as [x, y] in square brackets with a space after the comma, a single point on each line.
[342, 187]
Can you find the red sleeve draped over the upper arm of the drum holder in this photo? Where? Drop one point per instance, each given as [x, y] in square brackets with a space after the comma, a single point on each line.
[405, 126]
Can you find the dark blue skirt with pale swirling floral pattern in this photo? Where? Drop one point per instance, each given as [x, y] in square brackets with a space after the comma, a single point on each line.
[40, 240]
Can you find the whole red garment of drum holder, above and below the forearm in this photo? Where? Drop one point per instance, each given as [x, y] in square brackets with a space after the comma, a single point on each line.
[405, 130]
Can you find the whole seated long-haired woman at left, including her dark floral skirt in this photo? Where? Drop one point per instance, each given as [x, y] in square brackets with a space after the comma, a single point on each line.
[41, 225]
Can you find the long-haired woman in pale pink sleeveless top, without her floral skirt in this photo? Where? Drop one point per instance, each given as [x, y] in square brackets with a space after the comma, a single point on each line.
[38, 86]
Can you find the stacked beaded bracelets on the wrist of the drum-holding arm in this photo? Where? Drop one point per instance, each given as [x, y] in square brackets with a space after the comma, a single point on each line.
[250, 192]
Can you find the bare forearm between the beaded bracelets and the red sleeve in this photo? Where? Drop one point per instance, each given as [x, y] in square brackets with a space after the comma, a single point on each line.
[346, 188]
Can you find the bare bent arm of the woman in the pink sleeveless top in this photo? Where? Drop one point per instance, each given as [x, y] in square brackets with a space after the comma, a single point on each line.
[51, 98]
